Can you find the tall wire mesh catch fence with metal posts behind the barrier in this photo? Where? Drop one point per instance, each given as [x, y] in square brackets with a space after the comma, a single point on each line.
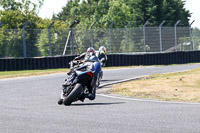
[56, 42]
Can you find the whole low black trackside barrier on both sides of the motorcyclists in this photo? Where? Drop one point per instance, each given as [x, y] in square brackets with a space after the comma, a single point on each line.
[12, 64]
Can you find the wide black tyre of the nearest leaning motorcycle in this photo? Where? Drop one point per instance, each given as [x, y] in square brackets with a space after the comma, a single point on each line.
[73, 95]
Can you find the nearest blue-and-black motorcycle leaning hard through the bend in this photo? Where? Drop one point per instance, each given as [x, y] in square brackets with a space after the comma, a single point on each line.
[80, 80]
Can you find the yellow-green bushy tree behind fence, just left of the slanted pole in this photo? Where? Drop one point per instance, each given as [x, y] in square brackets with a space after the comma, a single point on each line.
[57, 43]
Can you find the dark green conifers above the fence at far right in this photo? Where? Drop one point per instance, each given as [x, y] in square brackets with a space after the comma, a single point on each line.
[171, 11]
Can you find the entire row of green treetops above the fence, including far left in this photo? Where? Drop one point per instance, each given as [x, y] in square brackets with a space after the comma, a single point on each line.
[15, 14]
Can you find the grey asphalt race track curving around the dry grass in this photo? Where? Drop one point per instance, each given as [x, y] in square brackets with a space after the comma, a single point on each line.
[29, 105]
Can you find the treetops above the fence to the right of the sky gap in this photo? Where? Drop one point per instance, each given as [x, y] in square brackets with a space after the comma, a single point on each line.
[124, 11]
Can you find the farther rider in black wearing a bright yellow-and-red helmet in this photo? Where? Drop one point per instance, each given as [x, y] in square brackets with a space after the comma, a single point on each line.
[101, 54]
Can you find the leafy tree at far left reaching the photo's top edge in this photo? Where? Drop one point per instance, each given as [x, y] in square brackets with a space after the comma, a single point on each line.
[14, 16]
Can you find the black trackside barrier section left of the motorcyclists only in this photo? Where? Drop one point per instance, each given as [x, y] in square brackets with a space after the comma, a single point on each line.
[13, 64]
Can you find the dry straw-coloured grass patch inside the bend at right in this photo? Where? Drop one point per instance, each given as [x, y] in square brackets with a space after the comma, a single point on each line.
[182, 86]
